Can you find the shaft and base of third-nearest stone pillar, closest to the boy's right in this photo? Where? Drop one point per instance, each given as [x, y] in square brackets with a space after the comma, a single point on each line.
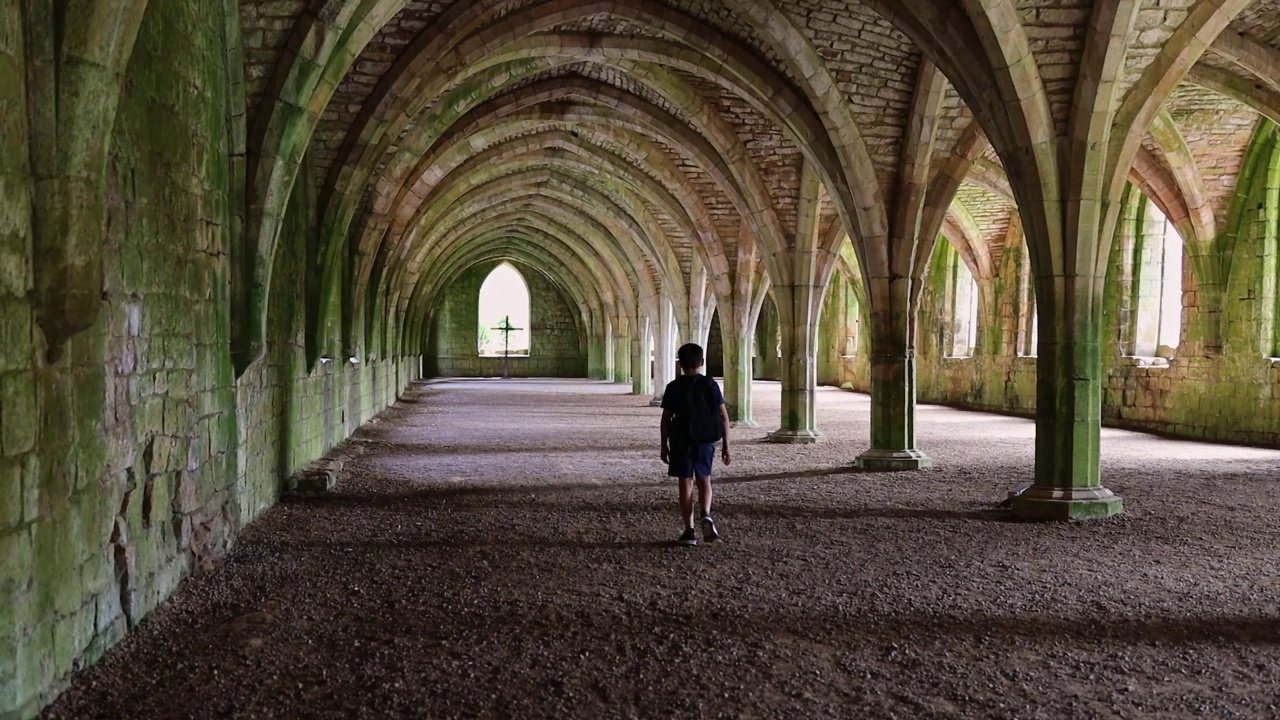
[799, 366]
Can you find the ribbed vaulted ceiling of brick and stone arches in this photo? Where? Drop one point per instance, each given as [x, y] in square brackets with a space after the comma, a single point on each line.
[657, 149]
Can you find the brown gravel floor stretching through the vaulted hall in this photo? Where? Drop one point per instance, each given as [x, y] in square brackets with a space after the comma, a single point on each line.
[502, 549]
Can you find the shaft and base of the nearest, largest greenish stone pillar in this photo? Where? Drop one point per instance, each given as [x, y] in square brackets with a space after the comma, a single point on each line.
[1068, 405]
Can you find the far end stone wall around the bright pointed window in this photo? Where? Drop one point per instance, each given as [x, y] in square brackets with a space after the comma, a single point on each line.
[557, 341]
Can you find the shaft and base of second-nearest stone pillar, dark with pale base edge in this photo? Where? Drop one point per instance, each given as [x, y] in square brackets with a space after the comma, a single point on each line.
[893, 381]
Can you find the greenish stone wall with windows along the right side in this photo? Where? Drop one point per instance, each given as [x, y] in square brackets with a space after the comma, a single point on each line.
[1220, 385]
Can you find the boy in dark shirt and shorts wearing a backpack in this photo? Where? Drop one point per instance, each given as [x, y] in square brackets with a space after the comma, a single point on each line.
[693, 418]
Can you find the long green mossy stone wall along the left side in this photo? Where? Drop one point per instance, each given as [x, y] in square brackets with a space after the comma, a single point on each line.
[136, 457]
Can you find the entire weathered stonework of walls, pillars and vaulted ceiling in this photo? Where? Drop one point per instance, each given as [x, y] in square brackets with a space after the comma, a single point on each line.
[299, 200]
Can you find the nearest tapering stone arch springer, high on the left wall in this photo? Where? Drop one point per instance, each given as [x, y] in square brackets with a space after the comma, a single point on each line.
[77, 58]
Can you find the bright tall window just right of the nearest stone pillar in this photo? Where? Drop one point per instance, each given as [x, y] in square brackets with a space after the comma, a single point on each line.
[1156, 289]
